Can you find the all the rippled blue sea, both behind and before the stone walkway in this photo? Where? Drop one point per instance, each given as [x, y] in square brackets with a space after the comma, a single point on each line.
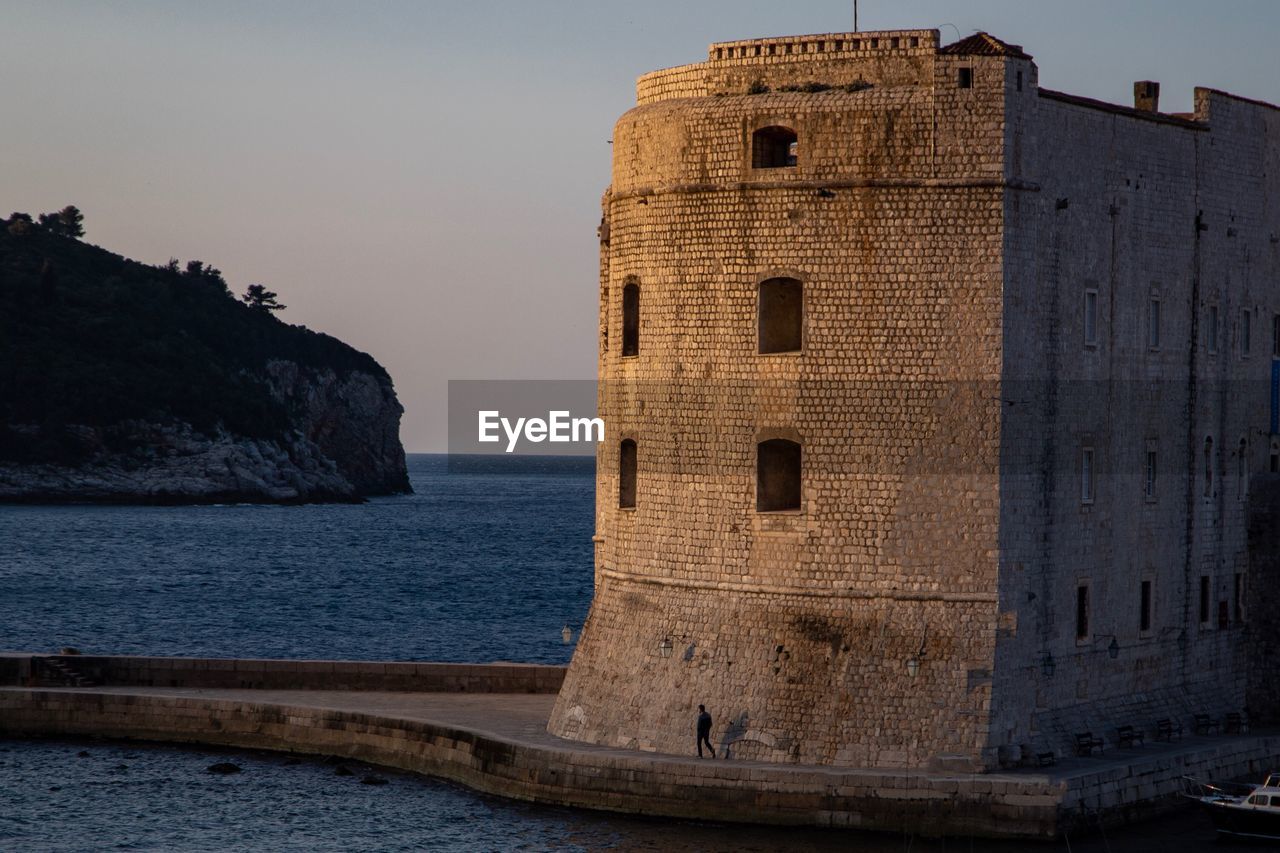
[484, 563]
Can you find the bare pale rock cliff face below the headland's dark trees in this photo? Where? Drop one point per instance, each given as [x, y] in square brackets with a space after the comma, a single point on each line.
[346, 446]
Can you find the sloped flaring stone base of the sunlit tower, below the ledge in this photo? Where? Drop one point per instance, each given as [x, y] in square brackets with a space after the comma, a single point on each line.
[788, 677]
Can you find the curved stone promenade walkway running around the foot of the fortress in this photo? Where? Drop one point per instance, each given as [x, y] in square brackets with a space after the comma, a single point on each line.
[499, 743]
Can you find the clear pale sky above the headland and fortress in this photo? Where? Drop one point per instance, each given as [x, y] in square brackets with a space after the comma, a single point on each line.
[423, 180]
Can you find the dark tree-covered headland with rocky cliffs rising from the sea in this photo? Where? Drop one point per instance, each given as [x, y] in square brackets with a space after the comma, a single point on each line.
[122, 382]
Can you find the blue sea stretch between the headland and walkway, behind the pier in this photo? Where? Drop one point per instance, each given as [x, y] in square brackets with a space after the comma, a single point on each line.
[474, 567]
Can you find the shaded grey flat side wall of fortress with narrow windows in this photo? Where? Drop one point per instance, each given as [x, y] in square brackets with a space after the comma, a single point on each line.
[1133, 208]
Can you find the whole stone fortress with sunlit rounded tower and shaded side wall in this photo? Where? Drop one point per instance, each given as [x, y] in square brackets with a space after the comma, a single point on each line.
[934, 402]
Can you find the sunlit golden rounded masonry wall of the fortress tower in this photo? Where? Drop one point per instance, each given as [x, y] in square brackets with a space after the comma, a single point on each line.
[796, 628]
